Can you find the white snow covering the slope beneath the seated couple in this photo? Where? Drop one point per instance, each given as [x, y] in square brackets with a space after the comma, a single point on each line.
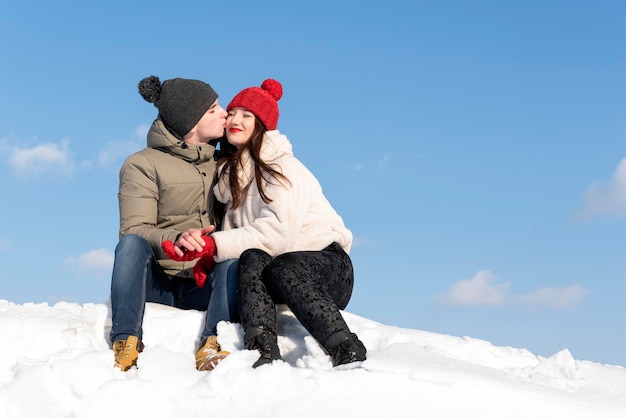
[56, 362]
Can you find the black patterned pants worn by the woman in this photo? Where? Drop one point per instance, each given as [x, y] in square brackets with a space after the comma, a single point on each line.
[315, 285]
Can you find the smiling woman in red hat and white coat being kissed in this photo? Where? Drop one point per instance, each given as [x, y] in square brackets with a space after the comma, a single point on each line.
[291, 244]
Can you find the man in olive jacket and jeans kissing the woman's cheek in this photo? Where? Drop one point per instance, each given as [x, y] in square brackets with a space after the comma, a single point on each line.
[165, 193]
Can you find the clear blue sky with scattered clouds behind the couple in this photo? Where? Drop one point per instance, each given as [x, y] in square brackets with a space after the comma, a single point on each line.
[477, 150]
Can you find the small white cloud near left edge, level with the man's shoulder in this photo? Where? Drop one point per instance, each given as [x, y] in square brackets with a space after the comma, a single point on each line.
[43, 159]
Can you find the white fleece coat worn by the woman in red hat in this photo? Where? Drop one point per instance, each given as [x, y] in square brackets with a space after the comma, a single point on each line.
[299, 217]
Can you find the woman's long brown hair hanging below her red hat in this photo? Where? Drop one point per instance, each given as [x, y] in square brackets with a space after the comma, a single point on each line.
[231, 159]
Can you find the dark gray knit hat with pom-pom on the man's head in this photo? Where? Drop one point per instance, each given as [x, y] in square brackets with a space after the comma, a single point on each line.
[181, 102]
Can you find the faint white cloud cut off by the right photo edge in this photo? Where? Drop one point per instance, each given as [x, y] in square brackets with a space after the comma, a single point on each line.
[603, 198]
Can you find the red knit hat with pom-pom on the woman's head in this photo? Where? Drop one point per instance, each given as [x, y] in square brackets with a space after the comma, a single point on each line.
[262, 101]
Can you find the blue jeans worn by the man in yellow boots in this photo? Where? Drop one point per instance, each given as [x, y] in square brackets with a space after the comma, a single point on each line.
[138, 278]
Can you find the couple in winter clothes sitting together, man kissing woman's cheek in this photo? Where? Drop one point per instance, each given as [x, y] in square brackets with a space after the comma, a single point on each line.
[232, 232]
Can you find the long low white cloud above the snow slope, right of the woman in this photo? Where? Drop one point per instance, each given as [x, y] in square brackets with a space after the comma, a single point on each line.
[484, 290]
